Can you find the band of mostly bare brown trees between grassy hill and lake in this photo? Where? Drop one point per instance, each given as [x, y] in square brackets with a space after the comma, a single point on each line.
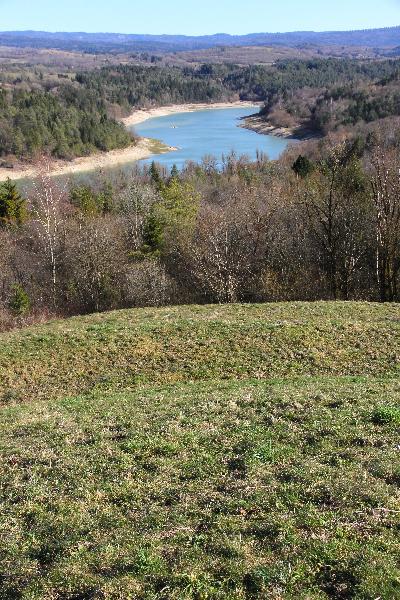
[320, 224]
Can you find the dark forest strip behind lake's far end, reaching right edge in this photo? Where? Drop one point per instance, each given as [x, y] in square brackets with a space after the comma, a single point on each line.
[129, 85]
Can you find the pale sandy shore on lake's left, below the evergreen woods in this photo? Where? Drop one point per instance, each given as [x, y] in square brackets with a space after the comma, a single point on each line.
[145, 148]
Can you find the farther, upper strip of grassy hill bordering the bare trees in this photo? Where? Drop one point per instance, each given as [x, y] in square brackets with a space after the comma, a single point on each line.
[125, 349]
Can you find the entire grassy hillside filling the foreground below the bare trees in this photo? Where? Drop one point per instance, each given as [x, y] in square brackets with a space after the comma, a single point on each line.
[202, 452]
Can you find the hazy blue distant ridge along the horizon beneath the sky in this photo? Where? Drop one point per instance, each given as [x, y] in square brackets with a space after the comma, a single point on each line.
[388, 37]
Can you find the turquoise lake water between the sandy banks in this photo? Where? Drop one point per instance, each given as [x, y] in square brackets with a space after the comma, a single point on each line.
[207, 132]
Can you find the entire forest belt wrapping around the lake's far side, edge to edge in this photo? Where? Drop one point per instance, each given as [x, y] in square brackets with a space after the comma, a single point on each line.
[67, 118]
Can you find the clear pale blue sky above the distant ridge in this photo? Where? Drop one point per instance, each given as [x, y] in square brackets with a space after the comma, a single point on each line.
[197, 17]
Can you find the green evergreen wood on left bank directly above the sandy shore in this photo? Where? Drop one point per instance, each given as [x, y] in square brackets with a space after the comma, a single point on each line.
[71, 122]
